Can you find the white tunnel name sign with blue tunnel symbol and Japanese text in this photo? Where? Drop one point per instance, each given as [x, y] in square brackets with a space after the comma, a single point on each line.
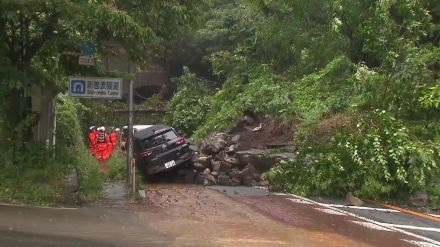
[95, 87]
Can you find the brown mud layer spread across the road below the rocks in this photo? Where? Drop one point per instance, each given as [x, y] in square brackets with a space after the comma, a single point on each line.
[234, 216]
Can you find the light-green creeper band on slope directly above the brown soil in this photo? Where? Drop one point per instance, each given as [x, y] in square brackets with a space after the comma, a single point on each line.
[309, 98]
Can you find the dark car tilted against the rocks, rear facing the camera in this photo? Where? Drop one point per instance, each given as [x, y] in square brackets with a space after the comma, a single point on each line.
[159, 148]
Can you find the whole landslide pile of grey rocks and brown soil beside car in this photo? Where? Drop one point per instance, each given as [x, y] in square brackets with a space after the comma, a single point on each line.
[231, 160]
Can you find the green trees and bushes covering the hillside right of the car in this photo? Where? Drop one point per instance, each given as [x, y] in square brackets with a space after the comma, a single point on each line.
[360, 77]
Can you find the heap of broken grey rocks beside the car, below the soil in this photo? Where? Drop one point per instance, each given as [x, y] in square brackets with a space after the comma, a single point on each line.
[218, 161]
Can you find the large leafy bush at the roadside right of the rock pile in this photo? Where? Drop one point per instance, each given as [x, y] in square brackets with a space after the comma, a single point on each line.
[380, 160]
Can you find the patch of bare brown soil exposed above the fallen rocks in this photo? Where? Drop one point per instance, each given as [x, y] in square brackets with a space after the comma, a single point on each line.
[274, 133]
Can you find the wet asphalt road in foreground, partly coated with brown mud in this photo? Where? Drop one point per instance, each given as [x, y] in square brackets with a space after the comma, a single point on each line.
[187, 215]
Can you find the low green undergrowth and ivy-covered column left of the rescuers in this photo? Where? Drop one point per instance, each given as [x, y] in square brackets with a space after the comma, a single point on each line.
[38, 175]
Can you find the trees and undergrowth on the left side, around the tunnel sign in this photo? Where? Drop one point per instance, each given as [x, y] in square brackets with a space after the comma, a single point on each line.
[35, 36]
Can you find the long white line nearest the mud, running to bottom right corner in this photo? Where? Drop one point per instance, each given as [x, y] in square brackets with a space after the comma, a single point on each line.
[431, 241]
